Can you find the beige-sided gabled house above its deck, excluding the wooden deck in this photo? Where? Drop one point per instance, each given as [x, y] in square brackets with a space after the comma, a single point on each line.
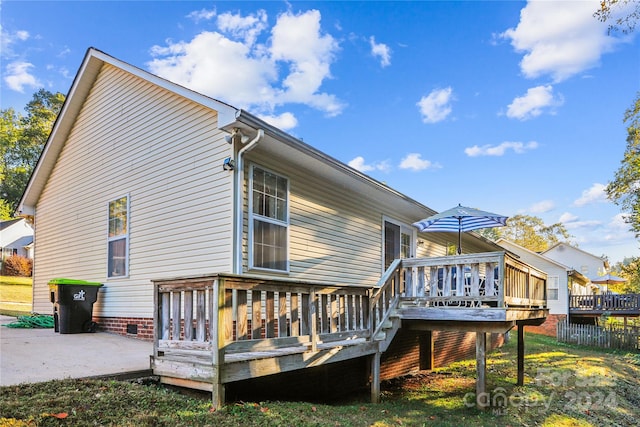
[143, 179]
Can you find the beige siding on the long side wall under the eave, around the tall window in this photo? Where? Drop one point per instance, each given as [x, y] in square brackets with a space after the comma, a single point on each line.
[334, 234]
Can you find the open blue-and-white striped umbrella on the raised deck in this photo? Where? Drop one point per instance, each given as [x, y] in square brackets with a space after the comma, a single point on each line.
[461, 219]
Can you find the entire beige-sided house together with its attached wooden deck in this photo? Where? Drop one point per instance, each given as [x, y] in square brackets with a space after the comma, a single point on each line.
[215, 232]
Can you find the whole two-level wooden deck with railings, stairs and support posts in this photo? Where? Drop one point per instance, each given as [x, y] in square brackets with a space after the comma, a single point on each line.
[217, 329]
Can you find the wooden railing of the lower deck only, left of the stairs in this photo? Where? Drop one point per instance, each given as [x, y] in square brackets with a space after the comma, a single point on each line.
[251, 313]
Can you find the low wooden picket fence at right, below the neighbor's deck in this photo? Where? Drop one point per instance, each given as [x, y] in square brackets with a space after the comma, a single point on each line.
[596, 336]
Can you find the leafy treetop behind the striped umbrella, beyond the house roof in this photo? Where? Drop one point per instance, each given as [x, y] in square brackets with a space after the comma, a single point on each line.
[529, 232]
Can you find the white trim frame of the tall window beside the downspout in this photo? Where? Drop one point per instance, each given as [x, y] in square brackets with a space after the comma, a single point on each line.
[251, 216]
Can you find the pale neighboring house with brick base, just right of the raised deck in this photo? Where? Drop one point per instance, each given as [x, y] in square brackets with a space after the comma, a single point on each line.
[562, 280]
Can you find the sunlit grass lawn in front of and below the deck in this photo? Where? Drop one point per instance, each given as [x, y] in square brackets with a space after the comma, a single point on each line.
[564, 386]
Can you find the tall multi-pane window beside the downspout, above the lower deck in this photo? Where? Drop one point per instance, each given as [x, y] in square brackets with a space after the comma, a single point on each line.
[269, 220]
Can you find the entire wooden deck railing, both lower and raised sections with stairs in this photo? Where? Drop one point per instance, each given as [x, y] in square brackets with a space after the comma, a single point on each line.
[226, 314]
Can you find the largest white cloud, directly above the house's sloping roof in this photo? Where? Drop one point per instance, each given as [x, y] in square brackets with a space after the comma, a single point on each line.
[288, 67]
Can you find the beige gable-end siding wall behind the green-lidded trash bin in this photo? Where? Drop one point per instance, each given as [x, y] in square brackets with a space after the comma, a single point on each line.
[163, 151]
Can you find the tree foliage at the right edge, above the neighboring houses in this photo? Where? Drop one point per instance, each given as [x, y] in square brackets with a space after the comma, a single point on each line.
[624, 190]
